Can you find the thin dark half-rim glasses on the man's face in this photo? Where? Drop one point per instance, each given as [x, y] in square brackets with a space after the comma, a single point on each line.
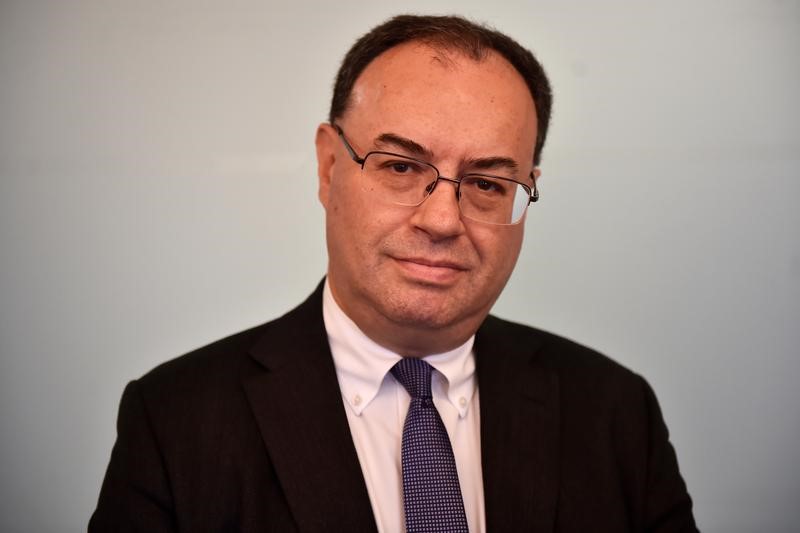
[407, 181]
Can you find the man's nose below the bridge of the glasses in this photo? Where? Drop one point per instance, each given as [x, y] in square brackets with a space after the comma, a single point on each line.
[439, 215]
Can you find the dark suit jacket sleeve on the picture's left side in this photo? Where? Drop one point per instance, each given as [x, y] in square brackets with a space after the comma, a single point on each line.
[135, 496]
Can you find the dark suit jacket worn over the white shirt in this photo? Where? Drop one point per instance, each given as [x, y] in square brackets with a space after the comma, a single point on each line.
[250, 434]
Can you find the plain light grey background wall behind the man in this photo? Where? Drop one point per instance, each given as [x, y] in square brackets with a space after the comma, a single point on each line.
[159, 191]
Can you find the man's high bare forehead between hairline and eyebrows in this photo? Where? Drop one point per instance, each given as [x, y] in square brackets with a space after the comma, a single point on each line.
[442, 97]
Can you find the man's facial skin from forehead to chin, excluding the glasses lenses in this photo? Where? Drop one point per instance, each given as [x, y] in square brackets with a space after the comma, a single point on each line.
[420, 280]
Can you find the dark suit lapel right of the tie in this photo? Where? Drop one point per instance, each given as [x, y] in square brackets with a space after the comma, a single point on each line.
[519, 430]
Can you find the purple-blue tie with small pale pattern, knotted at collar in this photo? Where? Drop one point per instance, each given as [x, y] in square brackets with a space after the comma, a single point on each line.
[432, 495]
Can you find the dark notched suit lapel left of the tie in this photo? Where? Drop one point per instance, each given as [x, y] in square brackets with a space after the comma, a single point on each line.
[298, 407]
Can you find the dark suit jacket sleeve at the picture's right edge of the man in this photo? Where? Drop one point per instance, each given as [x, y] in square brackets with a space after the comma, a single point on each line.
[667, 505]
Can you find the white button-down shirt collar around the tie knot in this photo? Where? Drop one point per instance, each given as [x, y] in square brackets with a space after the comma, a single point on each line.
[362, 364]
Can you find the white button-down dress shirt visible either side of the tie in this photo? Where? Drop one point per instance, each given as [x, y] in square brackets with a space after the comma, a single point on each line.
[376, 406]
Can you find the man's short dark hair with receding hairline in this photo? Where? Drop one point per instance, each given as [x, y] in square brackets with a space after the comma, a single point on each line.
[448, 33]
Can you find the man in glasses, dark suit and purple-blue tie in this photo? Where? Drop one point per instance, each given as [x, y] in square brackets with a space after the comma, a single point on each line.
[390, 400]
